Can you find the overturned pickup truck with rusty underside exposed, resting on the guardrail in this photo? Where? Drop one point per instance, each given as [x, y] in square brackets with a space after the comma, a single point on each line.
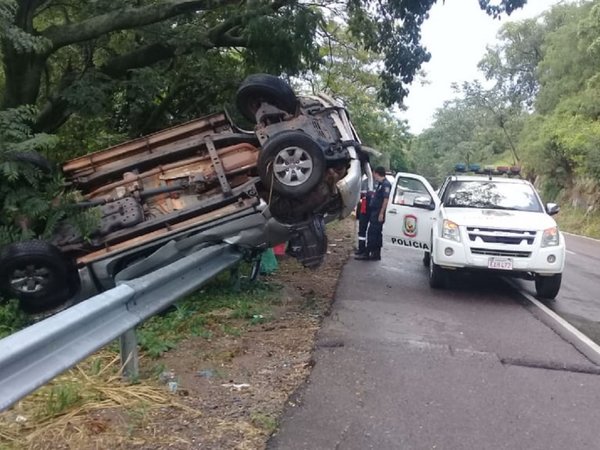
[165, 195]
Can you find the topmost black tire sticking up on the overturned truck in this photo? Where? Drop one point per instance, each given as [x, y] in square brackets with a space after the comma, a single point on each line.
[262, 87]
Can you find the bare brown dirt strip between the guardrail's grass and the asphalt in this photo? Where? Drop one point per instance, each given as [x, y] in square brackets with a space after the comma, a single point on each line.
[234, 388]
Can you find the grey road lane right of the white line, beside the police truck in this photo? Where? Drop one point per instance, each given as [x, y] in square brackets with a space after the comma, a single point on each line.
[579, 298]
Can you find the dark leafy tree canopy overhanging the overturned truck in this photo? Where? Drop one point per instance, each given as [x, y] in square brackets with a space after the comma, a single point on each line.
[137, 65]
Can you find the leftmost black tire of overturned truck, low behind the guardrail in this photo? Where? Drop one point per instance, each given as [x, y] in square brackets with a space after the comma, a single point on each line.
[37, 274]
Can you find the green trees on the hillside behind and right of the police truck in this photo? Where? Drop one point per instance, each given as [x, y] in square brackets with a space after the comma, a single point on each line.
[541, 112]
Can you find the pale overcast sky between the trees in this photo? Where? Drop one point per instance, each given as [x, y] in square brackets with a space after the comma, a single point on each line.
[456, 34]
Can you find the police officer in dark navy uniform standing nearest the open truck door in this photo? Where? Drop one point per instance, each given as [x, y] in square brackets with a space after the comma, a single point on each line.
[377, 208]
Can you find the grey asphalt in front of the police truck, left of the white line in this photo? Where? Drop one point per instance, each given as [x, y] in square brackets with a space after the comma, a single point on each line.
[401, 366]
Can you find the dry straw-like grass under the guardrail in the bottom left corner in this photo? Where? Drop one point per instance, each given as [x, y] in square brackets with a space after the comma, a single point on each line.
[90, 406]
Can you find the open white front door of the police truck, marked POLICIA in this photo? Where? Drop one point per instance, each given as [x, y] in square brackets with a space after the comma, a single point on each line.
[411, 212]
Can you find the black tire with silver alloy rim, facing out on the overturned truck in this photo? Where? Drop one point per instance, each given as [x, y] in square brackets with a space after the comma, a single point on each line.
[291, 163]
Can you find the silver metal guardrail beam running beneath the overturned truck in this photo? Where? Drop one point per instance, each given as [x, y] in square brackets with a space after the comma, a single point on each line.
[35, 355]
